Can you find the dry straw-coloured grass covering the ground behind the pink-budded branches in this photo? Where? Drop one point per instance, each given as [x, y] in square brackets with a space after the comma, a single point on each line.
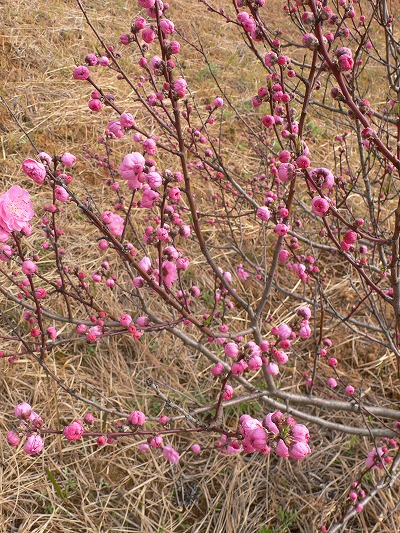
[115, 488]
